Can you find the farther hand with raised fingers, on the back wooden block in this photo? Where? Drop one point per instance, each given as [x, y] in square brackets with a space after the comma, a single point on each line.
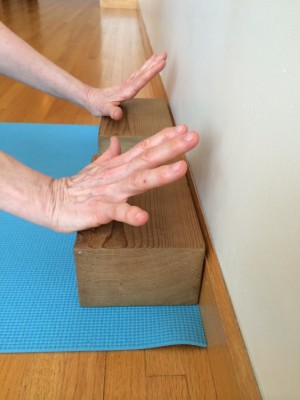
[105, 102]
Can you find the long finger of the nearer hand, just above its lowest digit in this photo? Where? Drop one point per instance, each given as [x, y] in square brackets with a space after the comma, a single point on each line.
[141, 181]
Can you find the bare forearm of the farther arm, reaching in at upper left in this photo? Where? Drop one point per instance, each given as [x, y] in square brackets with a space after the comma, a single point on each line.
[21, 62]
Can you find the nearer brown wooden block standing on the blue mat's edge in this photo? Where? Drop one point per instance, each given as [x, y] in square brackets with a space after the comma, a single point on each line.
[159, 263]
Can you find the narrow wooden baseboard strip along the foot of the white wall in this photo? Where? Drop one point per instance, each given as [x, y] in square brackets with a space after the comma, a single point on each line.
[229, 361]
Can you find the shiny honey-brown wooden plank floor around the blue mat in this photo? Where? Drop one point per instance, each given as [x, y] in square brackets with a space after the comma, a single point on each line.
[101, 47]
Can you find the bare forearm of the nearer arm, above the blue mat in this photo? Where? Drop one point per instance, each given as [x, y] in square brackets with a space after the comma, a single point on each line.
[24, 192]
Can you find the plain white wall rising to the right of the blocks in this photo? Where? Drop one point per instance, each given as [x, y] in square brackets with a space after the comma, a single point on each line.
[233, 74]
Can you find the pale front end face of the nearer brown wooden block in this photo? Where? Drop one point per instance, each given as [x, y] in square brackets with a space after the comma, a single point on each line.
[121, 277]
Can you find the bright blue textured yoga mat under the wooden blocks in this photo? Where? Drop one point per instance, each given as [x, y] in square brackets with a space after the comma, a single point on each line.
[39, 308]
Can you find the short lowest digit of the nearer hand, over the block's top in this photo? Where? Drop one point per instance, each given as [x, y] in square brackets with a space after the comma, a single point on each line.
[123, 212]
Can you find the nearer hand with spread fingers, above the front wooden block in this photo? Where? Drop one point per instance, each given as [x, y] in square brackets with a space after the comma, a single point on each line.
[98, 194]
